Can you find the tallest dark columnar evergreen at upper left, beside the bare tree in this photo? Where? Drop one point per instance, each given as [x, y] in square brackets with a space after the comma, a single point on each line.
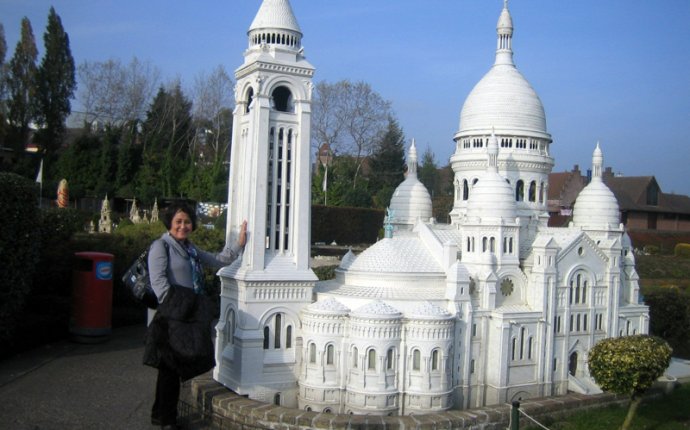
[55, 85]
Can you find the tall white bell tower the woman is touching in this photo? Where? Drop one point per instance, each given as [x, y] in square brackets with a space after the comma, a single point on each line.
[269, 186]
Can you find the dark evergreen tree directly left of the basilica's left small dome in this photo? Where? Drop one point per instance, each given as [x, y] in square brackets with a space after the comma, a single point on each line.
[387, 164]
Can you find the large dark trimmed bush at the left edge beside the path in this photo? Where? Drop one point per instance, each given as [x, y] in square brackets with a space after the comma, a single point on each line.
[20, 245]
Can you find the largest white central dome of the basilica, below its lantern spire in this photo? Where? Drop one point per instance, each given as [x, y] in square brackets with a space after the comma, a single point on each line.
[505, 101]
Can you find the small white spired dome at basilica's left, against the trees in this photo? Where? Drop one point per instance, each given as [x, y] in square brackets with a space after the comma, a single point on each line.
[411, 200]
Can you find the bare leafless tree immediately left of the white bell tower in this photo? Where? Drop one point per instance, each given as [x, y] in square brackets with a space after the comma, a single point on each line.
[213, 103]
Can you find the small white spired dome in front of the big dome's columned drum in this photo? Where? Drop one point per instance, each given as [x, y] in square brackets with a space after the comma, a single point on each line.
[492, 197]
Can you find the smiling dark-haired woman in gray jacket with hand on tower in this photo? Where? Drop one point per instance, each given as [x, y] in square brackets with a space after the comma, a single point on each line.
[179, 342]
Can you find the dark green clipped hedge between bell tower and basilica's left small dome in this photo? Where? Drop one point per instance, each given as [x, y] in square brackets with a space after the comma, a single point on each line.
[345, 226]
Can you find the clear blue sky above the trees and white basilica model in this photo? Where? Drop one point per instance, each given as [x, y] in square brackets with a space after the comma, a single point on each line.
[613, 71]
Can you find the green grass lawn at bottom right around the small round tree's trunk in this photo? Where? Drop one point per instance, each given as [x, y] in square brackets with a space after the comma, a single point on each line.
[668, 412]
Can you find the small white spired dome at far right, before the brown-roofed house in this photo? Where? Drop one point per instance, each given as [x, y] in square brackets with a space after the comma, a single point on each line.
[596, 205]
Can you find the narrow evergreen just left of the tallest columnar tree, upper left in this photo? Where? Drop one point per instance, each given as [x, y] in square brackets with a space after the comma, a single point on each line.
[21, 85]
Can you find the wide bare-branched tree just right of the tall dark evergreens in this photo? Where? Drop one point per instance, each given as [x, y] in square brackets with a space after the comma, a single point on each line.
[113, 93]
